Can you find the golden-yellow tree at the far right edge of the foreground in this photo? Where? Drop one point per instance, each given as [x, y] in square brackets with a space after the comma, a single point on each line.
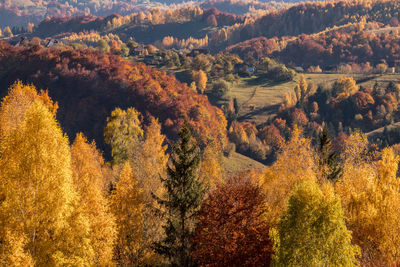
[371, 200]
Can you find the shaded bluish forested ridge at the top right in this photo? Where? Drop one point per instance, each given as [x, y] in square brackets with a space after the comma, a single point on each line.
[309, 18]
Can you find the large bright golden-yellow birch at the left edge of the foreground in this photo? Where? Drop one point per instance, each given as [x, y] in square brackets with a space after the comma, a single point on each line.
[40, 201]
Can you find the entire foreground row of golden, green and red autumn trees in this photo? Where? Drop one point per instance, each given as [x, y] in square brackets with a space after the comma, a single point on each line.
[63, 205]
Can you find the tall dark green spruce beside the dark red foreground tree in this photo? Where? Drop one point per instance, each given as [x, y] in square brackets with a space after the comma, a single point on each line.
[182, 200]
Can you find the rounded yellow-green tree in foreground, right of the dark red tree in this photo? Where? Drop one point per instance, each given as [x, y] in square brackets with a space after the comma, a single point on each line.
[312, 232]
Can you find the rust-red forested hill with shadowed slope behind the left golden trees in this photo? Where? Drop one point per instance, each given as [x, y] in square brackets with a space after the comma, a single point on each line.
[89, 85]
